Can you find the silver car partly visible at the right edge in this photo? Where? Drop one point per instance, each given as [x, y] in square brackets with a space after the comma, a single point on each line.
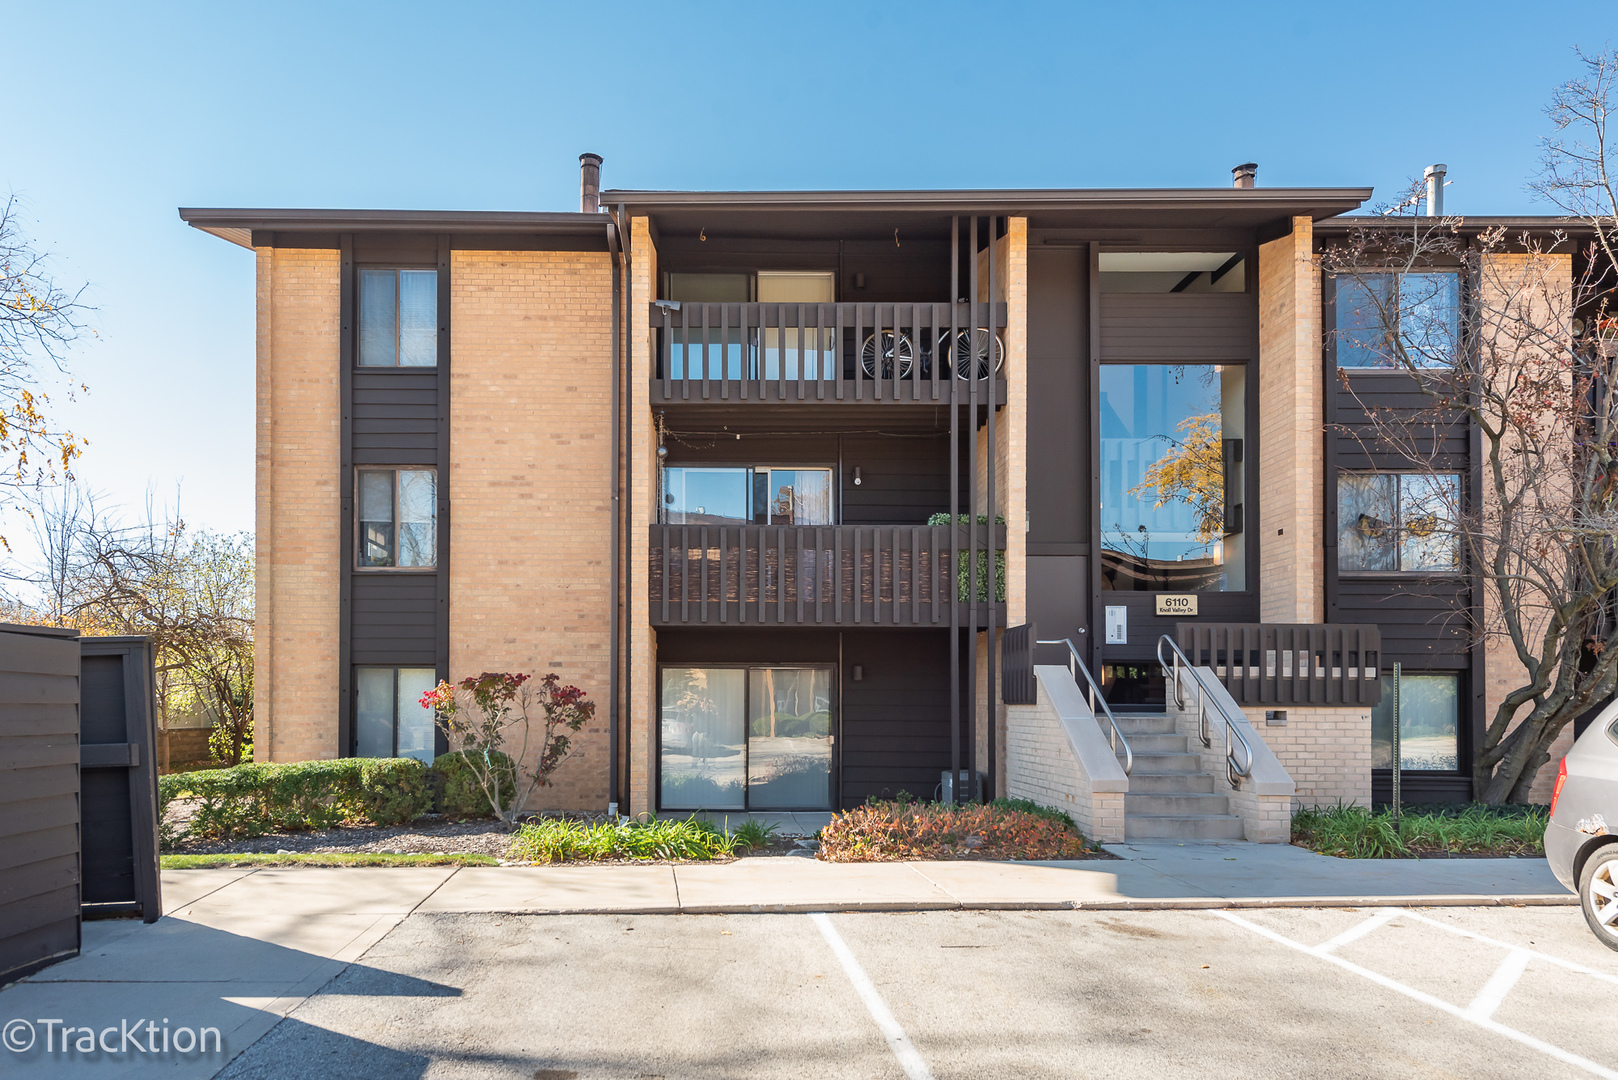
[1580, 846]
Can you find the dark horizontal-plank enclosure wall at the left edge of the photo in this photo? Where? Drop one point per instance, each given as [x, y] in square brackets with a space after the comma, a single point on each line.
[40, 801]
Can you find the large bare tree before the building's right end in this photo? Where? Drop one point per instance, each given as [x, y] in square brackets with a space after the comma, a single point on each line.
[1510, 334]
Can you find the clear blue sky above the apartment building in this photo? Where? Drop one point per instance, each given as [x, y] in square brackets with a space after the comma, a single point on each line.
[119, 114]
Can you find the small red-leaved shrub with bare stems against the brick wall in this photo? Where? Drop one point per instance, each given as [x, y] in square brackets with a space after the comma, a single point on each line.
[491, 726]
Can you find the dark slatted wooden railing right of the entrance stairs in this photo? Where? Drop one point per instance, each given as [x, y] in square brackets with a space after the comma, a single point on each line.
[1289, 663]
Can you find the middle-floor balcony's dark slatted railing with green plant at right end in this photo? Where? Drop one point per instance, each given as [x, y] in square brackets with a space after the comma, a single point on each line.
[829, 576]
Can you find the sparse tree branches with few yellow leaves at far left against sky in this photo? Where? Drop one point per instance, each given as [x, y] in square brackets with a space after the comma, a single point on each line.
[40, 320]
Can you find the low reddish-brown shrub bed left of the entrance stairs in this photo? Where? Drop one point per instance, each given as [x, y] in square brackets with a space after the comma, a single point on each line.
[900, 831]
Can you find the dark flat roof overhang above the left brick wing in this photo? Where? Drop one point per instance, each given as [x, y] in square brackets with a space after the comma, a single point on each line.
[239, 226]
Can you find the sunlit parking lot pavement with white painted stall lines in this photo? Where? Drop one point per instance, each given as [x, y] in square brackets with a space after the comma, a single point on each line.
[1198, 993]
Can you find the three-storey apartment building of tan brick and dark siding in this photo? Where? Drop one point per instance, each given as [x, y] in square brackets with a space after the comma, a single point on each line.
[795, 483]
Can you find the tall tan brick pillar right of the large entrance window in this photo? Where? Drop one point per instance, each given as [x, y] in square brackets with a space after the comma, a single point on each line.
[1290, 427]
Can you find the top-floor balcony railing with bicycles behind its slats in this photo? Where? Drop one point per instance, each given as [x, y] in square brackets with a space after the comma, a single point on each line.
[829, 354]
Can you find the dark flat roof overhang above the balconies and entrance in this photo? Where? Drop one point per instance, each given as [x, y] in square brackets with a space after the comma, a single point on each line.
[925, 215]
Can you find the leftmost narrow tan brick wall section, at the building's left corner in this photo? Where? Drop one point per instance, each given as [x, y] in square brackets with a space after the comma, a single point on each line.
[299, 506]
